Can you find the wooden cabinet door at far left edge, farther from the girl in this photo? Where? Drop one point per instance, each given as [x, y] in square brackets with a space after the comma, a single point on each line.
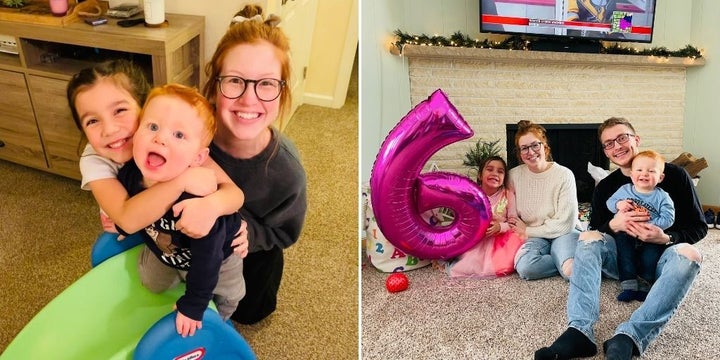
[19, 137]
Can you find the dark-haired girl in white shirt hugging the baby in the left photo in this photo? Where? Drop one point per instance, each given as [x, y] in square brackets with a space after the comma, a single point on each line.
[105, 101]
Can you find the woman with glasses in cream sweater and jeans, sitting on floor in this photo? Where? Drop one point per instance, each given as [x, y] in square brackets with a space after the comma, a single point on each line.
[547, 207]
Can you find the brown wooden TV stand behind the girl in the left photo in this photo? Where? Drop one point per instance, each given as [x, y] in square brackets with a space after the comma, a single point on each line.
[36, 127]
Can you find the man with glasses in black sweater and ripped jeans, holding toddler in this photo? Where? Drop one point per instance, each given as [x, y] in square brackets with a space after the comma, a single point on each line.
[596, 254]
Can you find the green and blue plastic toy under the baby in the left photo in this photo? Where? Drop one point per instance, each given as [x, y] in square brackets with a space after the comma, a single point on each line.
[108, 314]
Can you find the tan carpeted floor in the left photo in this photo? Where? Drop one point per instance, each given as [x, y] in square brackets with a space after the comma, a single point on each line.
[48, 227]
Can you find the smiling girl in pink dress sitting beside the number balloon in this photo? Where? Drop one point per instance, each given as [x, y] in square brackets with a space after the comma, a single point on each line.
[493, 256]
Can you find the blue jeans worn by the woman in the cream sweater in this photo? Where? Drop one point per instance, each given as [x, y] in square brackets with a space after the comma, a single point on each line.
[540, 258]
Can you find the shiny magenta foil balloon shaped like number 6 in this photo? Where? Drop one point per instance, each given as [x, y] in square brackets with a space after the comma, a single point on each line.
[399, 193]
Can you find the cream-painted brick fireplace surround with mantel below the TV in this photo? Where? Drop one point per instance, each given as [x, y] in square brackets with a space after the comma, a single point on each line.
[492, 88]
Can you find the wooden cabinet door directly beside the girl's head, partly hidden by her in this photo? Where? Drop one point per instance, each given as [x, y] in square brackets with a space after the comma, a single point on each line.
[61, 137]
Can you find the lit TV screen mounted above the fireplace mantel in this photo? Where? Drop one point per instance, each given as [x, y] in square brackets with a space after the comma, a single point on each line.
[610, 20]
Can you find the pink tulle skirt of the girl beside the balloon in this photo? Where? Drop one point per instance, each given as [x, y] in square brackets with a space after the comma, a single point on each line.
[492, 257]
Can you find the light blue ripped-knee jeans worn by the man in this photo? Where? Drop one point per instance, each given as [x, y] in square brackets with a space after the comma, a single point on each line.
[674, 273]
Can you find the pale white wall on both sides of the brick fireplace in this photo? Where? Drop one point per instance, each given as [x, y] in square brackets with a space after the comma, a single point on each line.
[385, 93]
